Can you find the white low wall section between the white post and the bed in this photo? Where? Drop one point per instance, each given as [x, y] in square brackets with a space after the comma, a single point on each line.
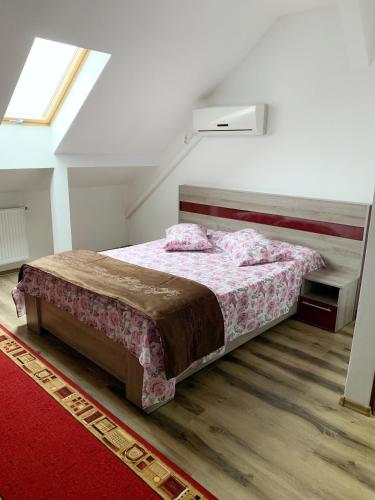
[98, 217]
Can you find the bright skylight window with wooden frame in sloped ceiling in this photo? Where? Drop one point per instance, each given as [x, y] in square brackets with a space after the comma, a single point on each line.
[48, 73]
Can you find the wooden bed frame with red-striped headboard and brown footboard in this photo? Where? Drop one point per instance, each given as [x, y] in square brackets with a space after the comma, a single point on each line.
[341, 228]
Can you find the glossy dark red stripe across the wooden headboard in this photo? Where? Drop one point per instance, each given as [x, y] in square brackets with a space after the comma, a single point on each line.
[311, 226]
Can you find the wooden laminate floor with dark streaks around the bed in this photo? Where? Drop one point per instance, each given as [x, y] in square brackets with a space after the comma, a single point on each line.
[261, 423]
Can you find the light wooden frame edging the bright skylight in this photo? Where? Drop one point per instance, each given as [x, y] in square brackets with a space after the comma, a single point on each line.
[61, 92]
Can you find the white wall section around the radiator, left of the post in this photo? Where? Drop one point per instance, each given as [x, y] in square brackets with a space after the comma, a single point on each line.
[38, 220]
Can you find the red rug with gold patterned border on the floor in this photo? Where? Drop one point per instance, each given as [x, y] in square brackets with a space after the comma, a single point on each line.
[56, 442]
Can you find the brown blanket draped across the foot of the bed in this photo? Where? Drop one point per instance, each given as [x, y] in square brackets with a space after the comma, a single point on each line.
[187, 314]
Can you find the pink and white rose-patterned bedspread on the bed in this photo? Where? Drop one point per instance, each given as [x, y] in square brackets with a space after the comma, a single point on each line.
[249, 297]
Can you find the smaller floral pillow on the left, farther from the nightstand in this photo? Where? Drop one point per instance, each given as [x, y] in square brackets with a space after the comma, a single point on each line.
[186, 237]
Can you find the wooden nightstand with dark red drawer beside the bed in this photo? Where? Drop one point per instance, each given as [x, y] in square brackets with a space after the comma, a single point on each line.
[328, 299]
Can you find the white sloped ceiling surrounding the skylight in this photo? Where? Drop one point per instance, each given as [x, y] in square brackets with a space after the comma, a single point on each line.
[166, 55]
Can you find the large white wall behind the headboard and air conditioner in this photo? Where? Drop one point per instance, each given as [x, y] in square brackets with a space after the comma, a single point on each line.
[321, 124]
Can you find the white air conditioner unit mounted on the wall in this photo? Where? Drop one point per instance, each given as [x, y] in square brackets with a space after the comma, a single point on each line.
[230, 120]
